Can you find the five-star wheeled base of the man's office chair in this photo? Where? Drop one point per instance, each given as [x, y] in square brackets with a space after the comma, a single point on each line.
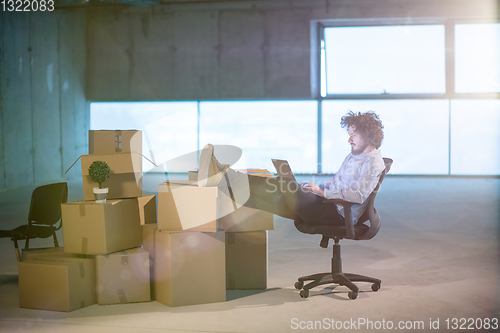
[342, 279]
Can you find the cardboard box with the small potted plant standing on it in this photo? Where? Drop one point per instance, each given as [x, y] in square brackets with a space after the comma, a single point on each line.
[101, 228]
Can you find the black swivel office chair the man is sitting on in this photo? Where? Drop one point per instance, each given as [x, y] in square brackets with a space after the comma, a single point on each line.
[358, 231]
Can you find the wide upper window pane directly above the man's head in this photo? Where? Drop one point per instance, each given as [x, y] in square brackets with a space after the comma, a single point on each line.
[385, 59]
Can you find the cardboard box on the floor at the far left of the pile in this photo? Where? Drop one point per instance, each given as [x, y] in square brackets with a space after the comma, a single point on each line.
[57, 284]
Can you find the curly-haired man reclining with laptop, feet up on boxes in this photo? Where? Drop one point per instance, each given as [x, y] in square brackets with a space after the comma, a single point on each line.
[355, 180]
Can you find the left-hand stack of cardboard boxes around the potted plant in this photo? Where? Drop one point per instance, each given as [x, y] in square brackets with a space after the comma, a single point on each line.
[103, 260]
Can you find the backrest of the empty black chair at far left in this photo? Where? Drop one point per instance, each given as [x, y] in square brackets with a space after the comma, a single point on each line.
[46, 203]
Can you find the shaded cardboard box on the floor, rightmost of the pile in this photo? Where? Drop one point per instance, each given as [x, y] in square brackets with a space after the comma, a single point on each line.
[246, 260]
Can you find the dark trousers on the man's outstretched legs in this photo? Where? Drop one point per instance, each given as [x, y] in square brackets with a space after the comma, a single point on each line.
[288, 199]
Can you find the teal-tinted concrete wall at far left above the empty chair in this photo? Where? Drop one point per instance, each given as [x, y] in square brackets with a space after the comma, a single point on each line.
[43, 110]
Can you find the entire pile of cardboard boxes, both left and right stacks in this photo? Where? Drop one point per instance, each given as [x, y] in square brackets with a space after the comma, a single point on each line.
[201, 244]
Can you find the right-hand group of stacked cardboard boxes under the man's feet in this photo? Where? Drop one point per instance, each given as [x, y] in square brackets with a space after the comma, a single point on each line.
[205, 243]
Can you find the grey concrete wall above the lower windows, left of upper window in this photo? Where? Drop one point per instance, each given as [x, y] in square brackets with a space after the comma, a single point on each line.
[251, 50]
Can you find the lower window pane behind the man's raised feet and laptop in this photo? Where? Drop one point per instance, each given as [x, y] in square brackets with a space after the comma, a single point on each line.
[264, 130]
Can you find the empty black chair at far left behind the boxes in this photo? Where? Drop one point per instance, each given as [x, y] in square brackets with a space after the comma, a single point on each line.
[45, 212]
